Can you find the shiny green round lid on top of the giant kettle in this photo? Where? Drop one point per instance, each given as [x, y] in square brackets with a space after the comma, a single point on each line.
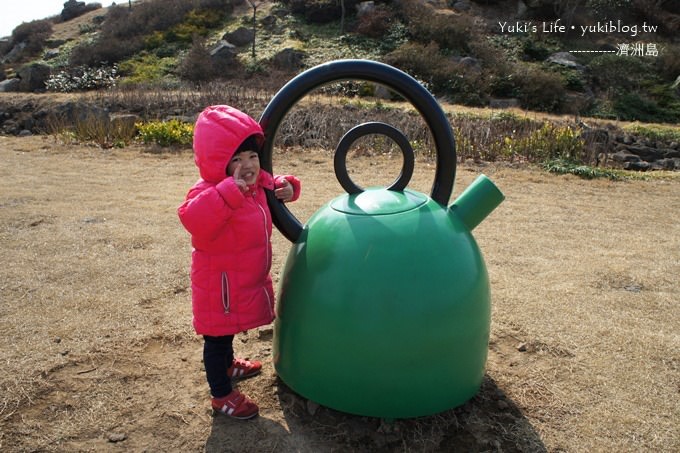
[378, 201]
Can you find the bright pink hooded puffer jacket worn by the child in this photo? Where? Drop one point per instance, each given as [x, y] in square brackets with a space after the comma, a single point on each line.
[230, 231]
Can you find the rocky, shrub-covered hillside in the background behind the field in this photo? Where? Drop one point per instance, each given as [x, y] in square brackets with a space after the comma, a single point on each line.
[543, 57]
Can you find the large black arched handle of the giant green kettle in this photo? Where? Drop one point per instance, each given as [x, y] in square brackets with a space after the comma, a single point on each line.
[371, 71]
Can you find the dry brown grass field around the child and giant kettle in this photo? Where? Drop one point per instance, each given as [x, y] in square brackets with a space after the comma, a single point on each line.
[94, 314]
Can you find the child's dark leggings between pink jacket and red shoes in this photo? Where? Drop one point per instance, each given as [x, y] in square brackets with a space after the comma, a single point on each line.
[218, 354]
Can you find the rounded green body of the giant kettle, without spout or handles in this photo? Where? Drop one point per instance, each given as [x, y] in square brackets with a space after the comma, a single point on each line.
[384, 315]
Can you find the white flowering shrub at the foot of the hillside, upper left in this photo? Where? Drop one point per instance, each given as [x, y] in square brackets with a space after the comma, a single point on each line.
[82, 78]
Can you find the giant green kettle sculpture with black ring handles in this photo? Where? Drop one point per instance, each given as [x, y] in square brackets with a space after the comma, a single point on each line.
[384, 306]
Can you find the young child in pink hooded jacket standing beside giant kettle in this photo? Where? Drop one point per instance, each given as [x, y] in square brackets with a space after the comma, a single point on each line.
[227, 215]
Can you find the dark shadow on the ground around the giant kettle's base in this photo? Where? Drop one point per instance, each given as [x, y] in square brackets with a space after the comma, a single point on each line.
[490, 421]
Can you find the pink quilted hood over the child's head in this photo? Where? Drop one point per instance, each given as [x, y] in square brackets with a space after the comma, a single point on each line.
[219, 131]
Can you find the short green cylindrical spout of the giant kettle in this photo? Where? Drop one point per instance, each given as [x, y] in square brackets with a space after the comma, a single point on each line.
[476, 202]
